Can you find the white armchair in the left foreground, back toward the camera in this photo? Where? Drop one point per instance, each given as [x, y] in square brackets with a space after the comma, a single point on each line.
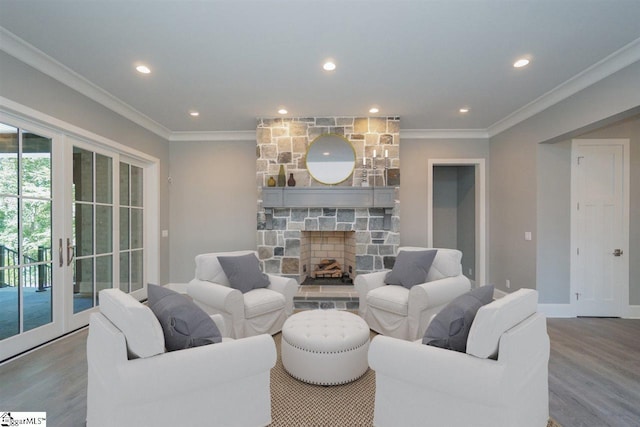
[133, 382]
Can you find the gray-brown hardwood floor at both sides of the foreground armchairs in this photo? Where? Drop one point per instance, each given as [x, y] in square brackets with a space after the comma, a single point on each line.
[594, 376]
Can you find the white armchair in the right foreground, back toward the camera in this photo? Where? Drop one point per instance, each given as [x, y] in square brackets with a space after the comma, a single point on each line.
[501, 381]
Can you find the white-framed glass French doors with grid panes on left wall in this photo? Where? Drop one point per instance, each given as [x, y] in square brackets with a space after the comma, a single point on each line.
[71, 224]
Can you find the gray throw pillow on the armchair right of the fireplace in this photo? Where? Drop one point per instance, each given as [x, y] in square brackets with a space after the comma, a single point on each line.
[411, 268]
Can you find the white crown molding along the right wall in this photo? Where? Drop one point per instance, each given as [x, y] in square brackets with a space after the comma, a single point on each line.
[618, 60]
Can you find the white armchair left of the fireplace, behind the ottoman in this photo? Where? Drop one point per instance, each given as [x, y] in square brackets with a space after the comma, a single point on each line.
[259, 311]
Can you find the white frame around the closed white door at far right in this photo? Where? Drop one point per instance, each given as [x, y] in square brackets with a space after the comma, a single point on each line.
[623, 305]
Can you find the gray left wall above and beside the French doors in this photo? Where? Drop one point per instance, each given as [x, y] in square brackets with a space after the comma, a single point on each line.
[31, 88]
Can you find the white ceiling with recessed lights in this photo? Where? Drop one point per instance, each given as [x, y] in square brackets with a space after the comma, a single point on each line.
[234, 61]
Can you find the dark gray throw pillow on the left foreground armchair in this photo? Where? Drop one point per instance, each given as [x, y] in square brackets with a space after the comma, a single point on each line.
[184, 324]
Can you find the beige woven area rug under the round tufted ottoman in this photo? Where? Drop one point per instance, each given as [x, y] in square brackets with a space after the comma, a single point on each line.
[297, 404]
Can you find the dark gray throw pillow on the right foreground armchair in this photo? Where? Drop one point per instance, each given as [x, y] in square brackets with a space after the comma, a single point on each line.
[450, 327]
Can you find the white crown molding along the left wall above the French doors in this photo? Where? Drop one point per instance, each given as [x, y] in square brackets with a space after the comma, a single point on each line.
[32, 56]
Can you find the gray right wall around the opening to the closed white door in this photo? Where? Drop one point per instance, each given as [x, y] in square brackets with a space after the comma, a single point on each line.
[517, 185]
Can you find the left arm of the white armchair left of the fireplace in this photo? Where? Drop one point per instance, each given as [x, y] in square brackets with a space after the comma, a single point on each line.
[215, 298]
